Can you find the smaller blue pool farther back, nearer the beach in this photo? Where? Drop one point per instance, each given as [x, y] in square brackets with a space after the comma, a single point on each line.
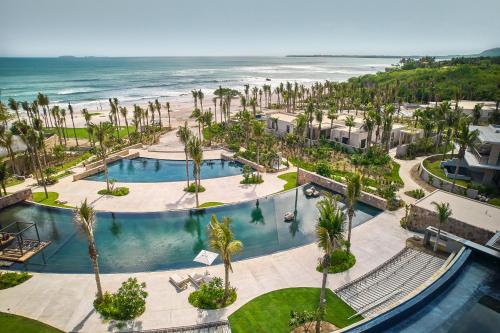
[150, 170]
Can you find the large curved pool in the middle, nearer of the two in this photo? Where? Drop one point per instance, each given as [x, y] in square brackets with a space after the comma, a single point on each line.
[136, 242]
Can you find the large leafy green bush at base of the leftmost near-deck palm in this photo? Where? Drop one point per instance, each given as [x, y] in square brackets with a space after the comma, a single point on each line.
[127, 303]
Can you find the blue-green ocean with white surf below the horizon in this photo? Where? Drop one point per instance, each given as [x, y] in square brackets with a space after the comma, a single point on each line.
[87, 82]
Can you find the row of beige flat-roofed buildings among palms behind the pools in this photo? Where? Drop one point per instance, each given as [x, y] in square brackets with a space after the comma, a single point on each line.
[356, 137]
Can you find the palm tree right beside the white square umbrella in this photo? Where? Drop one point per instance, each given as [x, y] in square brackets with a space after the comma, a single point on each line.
[221, 239]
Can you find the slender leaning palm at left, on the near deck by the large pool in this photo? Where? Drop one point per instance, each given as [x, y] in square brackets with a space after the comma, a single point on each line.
[85, 218]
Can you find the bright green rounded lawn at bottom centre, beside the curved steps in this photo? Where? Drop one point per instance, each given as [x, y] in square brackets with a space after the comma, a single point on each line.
[271, 312]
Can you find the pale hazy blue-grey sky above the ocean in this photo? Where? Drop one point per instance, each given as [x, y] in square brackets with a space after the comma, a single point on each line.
[32, 28]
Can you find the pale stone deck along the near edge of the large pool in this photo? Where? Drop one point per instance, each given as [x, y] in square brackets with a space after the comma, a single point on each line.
[65, 300]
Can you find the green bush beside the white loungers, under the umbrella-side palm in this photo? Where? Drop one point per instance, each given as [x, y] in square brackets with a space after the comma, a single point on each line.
[210, 295]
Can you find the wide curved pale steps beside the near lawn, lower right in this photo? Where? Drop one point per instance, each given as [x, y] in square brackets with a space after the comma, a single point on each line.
[389, 282]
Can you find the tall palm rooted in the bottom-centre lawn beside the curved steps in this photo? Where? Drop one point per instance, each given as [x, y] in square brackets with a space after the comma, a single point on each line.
[329, 232]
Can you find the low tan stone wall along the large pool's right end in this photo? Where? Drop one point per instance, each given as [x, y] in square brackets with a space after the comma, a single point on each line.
[367, 198]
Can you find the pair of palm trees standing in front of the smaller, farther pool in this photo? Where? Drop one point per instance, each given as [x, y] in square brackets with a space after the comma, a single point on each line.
[193, 149]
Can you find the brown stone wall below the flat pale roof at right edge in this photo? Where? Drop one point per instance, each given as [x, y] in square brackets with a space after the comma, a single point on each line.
[420, 218]
